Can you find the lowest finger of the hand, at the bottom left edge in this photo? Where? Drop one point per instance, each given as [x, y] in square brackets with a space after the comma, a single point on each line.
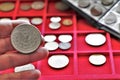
[24, 75]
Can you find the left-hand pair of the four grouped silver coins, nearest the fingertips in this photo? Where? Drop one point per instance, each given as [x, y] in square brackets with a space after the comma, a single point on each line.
[50, 44]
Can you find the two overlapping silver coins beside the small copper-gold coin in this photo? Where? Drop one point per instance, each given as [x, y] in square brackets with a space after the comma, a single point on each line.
[55, 23]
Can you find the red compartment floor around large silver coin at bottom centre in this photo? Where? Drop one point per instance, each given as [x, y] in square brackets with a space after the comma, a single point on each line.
[47, 70]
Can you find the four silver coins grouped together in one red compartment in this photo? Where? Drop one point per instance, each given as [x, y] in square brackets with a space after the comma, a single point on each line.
[64, 42]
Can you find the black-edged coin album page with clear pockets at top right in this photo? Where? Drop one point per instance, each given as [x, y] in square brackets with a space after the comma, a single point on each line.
[103, 14]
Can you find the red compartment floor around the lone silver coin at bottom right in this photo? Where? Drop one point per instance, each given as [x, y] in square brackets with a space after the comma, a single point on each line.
[85, 67]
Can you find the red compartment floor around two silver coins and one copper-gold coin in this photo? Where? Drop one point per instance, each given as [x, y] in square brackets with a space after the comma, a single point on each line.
[62, 28]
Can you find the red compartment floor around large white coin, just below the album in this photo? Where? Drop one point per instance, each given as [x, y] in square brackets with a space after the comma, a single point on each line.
[83, 46]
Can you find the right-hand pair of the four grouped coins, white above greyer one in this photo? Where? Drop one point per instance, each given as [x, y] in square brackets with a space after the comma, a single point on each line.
[65, 42]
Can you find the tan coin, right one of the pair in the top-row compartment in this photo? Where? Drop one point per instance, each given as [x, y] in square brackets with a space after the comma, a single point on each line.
[37, 5]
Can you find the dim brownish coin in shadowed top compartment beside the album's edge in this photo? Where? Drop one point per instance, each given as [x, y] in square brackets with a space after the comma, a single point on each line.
[61, 6]
